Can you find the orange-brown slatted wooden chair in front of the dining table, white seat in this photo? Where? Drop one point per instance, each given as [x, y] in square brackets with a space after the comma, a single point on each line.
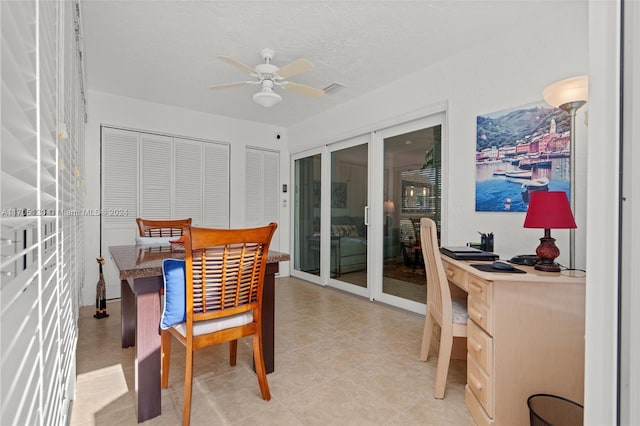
[224, 272]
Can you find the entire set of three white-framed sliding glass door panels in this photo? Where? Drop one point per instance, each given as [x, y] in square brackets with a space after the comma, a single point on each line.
[357, 210]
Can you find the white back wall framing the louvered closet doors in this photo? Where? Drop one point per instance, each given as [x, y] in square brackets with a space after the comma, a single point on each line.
[141, 115]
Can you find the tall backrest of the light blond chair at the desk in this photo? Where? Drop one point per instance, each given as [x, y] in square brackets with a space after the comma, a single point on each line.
[438, 293]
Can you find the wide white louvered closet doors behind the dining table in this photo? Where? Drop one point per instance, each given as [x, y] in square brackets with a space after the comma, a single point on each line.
[159, 177]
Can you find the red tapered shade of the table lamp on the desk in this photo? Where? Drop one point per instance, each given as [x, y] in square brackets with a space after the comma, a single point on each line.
[549, 210]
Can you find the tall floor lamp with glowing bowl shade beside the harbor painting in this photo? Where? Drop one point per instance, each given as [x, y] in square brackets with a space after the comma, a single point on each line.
[570, 95]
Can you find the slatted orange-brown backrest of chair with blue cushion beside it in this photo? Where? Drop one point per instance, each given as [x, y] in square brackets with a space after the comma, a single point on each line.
[225, 270]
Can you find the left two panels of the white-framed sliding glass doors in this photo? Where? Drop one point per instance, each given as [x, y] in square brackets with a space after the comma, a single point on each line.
[330, 244]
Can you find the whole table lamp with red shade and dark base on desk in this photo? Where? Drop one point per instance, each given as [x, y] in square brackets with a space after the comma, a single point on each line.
[549, 210]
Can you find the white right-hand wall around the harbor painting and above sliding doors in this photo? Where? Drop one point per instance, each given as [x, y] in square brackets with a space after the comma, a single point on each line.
[509, 72]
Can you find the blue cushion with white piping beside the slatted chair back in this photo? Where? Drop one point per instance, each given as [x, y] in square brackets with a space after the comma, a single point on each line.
[175, 283]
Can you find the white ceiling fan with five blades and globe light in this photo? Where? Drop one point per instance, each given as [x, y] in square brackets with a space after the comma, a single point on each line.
[269, 76]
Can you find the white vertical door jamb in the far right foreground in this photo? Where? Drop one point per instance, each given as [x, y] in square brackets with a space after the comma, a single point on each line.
[601, 339]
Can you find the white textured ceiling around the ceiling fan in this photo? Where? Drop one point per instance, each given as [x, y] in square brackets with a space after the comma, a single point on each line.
[165, 51]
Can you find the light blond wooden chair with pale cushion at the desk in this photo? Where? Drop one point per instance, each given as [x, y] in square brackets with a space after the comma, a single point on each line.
[450, 314]
